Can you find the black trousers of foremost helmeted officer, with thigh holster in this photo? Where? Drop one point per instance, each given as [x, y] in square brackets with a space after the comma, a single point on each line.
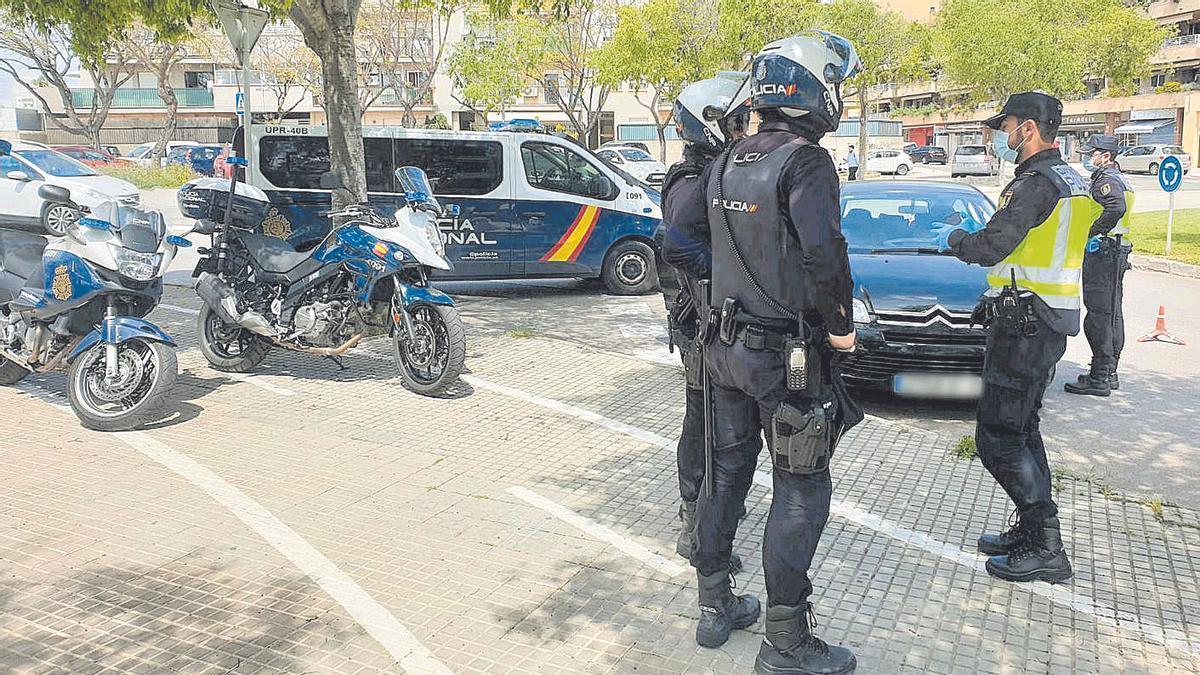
[748, 389]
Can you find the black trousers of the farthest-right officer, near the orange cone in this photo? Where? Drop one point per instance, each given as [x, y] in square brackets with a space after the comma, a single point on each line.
[1103, 296]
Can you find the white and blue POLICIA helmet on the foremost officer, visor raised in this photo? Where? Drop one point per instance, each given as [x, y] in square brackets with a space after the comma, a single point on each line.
[801, 76]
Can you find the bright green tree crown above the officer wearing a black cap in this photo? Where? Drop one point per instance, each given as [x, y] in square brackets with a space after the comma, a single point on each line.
[1000, 47]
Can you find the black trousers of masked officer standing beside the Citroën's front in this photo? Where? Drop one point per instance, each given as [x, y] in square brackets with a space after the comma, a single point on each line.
[1009, 435]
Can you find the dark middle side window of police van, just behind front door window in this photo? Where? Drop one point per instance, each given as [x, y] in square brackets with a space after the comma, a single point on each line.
[455, 168]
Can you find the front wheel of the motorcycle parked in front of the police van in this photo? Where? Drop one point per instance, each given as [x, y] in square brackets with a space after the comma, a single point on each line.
[433, 360]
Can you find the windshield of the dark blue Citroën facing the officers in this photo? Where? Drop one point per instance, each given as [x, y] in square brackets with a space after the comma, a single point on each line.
[895, 220]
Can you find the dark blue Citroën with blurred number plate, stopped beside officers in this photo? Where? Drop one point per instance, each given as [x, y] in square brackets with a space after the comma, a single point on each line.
[913, 304]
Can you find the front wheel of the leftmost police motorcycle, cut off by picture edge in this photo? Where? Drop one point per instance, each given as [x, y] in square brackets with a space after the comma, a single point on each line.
[146, 374]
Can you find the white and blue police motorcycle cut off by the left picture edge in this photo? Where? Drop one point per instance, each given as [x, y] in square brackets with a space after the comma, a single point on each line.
[81, 301]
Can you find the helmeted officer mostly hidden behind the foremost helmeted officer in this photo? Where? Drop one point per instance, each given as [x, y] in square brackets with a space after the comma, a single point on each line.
[701, 123]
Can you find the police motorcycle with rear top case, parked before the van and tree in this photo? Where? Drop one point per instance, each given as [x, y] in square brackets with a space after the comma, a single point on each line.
[368, 277]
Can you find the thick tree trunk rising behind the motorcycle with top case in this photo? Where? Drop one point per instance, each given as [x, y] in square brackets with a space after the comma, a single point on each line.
[328, 28]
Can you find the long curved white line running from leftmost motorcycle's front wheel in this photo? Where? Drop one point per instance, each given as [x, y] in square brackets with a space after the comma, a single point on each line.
[381, 624]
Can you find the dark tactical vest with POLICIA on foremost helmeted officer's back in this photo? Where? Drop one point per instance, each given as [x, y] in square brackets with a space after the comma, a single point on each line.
[748, 207]
